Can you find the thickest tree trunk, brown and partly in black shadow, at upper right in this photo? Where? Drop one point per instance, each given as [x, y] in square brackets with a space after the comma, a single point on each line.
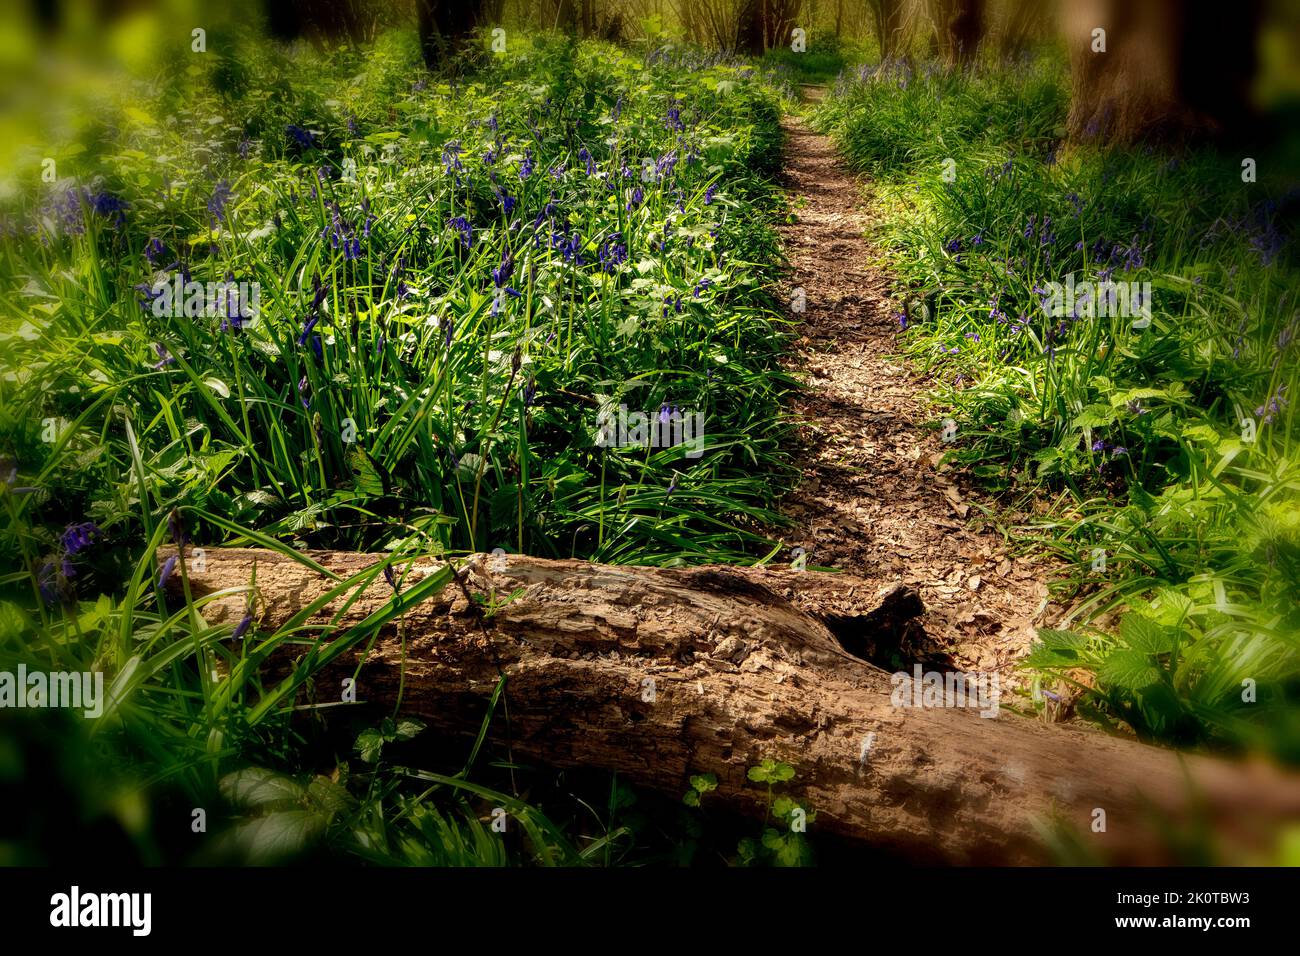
[1169, 72]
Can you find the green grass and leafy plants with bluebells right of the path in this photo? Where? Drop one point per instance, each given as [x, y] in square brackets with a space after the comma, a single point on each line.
[1173, 449]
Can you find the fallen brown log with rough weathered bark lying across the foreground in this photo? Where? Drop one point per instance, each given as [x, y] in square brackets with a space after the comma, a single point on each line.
[747, 665]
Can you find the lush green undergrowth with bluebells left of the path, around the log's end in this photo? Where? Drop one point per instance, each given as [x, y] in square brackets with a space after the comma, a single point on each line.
[456, 279]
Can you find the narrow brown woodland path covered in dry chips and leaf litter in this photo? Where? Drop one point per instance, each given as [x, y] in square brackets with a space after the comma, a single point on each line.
[874, 499]
